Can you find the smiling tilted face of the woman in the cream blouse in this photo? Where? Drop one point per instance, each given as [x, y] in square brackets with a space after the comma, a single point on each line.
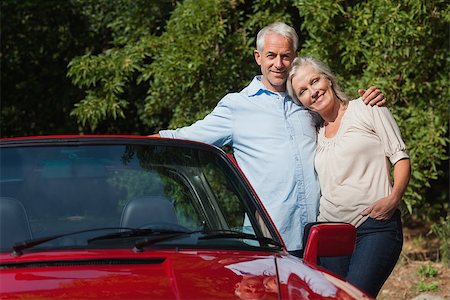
[313, 89]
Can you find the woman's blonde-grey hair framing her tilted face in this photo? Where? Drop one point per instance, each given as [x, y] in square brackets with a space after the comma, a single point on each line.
[321, 68]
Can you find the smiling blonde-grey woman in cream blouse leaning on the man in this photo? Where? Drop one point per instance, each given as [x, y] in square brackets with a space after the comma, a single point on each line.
[356, 146]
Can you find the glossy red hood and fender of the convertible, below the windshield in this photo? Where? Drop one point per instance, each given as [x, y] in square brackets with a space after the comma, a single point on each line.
[124, 274]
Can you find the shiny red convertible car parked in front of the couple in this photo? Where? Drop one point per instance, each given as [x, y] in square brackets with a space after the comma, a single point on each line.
[127, 217]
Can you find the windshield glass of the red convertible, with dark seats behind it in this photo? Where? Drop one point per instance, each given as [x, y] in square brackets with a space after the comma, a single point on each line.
[59, 189]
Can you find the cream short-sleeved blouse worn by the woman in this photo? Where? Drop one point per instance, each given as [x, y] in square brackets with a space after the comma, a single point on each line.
[354, 165]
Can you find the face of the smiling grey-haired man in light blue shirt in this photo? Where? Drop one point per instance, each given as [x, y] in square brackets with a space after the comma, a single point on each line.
[275, 61]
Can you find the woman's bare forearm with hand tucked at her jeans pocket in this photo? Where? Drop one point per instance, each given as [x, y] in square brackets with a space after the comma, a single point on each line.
[384, 208]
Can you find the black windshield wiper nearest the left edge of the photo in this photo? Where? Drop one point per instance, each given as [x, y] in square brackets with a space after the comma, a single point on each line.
[19, 247]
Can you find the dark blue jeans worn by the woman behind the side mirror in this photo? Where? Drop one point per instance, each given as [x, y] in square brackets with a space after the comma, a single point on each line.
[378, 247]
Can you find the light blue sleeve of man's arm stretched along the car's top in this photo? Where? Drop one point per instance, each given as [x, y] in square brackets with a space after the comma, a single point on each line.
[216, 128]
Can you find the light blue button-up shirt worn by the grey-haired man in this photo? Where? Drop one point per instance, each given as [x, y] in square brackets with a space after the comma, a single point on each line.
[274, 142]
